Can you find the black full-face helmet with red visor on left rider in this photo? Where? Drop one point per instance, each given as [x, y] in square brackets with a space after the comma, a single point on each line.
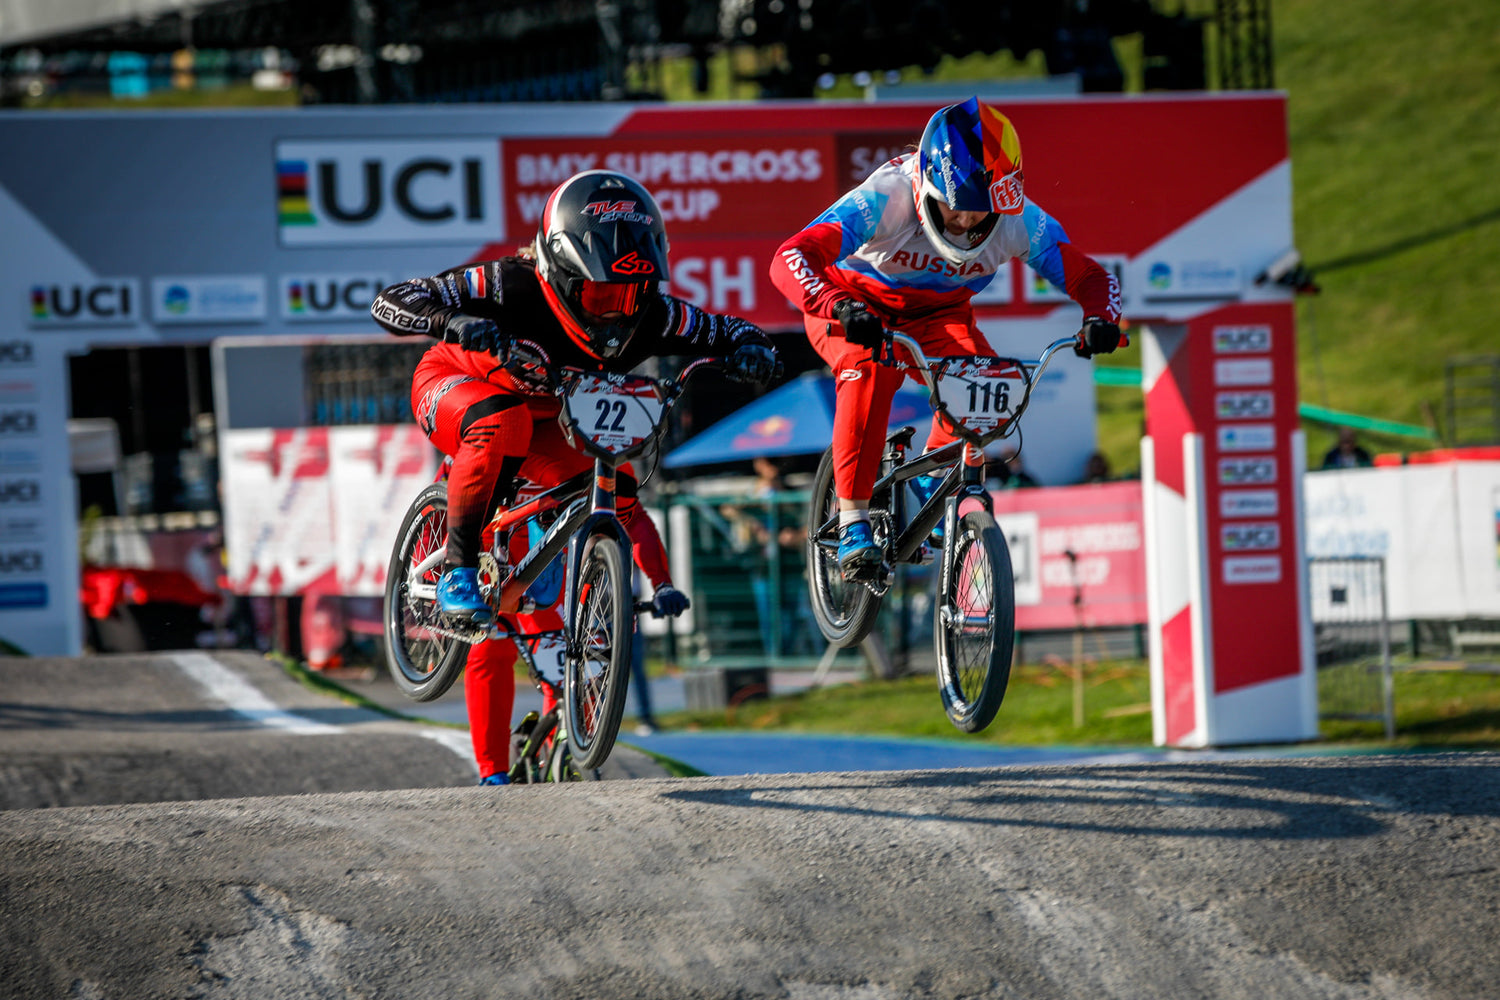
[602, 256]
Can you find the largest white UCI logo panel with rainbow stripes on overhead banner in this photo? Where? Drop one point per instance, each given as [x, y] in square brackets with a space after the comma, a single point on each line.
[338, 193]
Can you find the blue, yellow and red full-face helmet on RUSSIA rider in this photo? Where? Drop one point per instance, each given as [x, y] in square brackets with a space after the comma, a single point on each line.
[970, 161]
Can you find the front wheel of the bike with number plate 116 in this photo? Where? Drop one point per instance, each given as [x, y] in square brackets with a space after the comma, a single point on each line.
[976, 623]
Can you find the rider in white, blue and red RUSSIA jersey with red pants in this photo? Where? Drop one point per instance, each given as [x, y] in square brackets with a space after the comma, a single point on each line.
[908, 250]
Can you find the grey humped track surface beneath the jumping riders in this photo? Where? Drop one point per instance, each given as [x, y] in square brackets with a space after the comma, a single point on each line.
[1315, 878]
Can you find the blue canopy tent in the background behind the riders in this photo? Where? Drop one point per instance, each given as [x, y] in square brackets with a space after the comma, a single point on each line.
[796, 419]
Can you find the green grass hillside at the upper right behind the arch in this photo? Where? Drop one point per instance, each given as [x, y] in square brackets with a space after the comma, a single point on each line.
[1394, 116]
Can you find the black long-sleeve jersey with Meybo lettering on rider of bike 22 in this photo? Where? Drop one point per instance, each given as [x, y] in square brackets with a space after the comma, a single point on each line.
[509, 293]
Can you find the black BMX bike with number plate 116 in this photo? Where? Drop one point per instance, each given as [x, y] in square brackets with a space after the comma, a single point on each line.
[980, 400]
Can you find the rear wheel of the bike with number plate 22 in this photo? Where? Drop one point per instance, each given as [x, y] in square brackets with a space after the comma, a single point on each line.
[422, 660]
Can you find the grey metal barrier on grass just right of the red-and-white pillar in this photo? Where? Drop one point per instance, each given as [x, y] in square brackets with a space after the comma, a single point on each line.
[1352, 635]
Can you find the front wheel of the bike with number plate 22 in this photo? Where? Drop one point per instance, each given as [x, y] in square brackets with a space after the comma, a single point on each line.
[599, 659]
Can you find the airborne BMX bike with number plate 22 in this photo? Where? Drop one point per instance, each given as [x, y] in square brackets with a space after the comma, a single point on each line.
[613, 419]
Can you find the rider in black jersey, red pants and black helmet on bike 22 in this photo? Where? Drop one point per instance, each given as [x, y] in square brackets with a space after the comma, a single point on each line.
[589, 292]
